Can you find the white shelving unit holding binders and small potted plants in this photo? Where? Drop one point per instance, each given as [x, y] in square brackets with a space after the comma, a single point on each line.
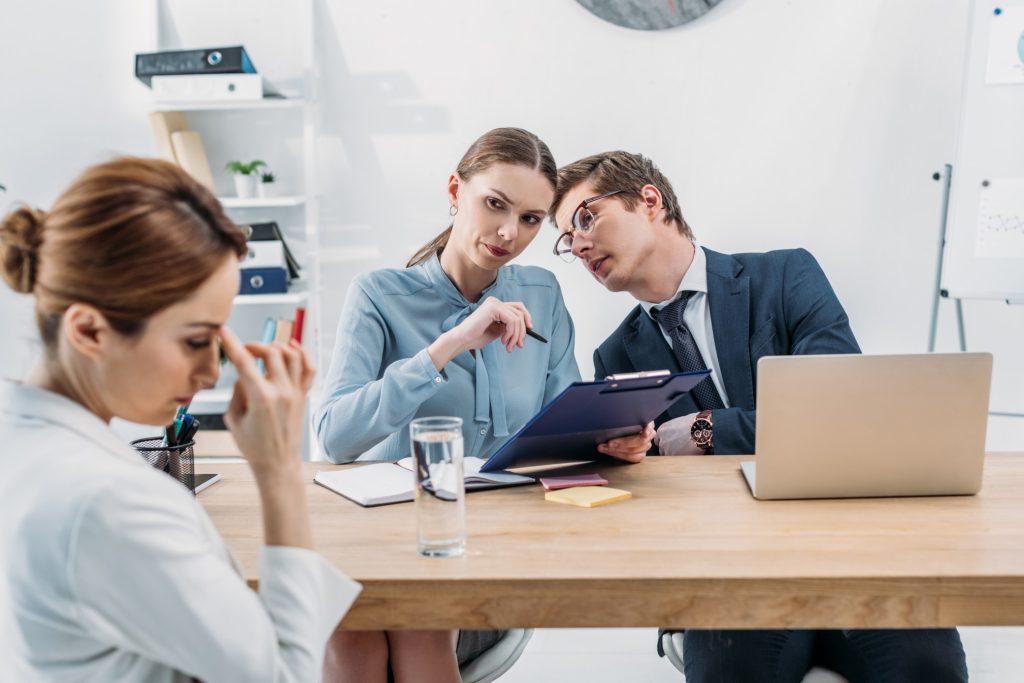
[283, 132]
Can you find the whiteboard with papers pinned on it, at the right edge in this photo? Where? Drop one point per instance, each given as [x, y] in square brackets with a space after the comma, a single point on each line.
[985, 250]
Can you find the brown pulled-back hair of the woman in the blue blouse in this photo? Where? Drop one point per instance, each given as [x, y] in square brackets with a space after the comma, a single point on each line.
[501, 146]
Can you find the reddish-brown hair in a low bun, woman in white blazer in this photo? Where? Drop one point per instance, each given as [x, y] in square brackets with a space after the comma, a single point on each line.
[131, 238]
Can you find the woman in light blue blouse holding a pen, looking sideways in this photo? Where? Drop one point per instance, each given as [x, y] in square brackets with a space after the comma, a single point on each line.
[447, 336]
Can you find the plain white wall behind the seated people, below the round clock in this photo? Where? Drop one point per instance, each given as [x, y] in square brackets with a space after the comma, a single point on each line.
[782, 123]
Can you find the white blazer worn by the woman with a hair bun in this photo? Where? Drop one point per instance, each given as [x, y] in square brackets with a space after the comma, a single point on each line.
[114, 572]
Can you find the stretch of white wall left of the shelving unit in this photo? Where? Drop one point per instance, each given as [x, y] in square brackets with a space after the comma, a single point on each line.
[69, 101]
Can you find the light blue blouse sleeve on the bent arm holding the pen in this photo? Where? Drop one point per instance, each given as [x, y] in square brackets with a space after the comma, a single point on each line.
[362, 406]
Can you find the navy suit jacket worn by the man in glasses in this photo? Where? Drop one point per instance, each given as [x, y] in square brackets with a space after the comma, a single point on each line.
[777, 304]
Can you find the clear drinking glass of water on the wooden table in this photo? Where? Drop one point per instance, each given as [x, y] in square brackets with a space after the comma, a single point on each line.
[441, 507]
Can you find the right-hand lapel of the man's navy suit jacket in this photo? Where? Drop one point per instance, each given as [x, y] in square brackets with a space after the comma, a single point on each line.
[730, 298]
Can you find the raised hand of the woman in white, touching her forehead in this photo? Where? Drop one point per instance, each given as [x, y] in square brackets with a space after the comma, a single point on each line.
[266, 413]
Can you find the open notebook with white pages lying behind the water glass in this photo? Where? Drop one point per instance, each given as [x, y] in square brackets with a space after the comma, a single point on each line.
[382, 484]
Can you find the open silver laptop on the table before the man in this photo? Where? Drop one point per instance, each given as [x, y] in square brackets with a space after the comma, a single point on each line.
[860, 426]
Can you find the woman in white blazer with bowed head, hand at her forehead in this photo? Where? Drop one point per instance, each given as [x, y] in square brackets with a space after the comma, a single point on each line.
[112, 571]
